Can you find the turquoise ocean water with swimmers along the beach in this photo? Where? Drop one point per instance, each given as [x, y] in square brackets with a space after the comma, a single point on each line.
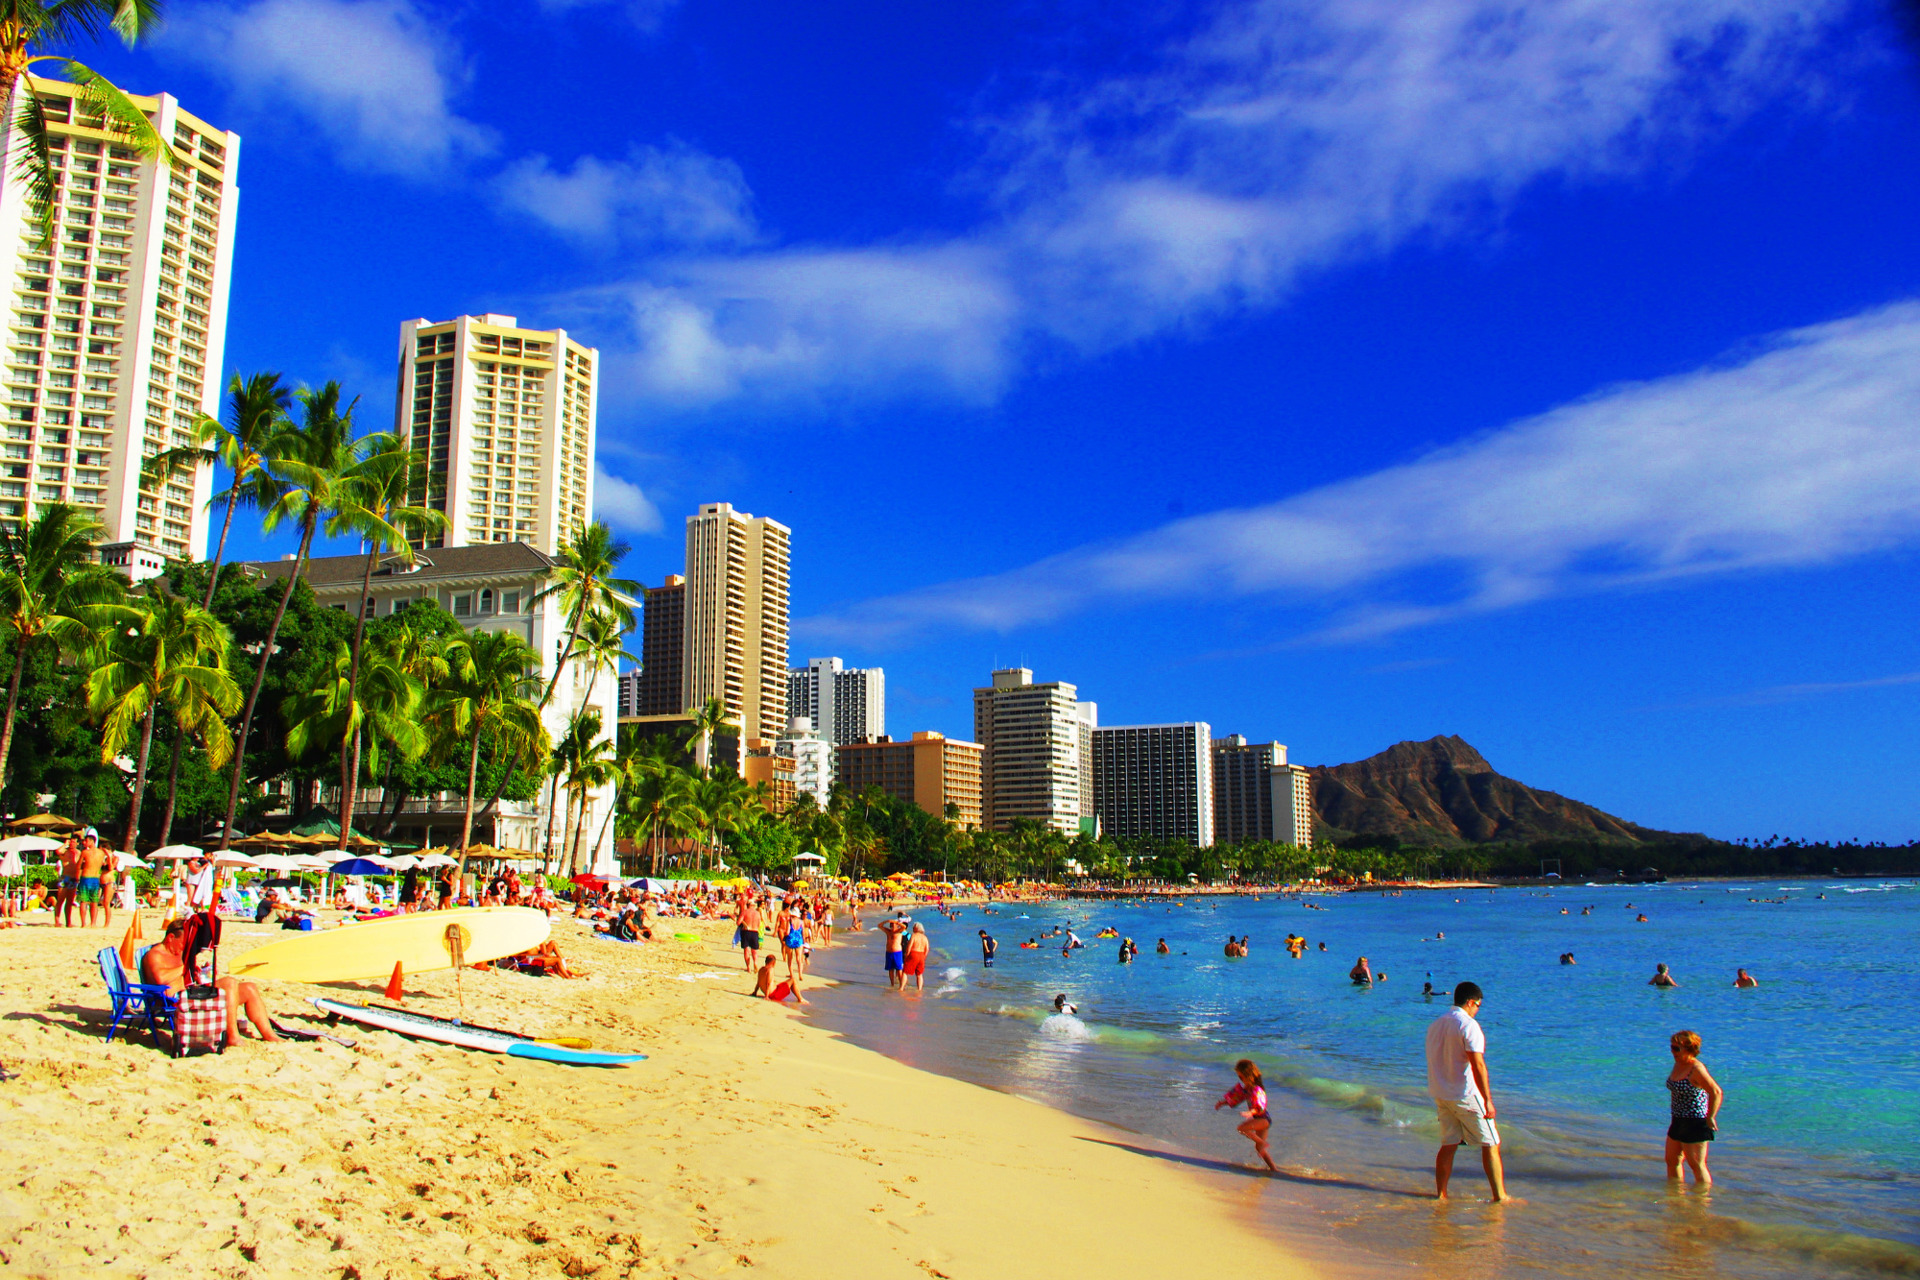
[1819, 1156]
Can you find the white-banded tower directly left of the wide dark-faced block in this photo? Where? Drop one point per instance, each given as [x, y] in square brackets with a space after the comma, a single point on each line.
[1032, 763]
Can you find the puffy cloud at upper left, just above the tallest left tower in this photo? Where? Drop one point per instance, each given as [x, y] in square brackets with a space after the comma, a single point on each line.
[375, 78]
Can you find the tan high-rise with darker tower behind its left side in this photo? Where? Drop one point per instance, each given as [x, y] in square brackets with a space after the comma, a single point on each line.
[736, 619]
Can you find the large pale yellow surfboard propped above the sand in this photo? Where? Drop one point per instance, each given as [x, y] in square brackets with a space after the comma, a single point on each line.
[420, 943]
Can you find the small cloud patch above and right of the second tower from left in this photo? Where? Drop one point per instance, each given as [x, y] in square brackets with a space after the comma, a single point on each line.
[658, 195]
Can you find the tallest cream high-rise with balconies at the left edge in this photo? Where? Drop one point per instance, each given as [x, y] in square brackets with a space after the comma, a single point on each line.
[118, 327]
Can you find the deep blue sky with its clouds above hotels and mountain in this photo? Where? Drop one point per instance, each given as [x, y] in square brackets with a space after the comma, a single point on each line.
[1335, 373]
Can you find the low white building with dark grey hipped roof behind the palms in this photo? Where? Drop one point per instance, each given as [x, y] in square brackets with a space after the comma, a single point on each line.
[487, 590]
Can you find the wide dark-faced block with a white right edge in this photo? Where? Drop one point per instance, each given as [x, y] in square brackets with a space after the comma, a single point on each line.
[1155, 782]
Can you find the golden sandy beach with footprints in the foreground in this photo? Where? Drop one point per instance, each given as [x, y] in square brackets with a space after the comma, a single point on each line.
[748, 1141]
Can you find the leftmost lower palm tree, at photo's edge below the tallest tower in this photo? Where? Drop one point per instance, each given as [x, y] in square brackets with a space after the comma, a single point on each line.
[49, 586]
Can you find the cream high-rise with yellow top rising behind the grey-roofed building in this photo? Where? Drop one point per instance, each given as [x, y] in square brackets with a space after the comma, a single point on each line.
[506, 417]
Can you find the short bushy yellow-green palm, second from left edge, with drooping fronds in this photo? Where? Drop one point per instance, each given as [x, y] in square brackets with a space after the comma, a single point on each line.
[160, 653]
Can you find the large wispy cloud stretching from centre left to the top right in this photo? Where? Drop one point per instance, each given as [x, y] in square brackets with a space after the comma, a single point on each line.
[1289, 137]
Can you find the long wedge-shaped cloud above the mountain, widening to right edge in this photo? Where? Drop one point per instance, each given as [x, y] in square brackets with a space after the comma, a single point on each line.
[1802, 456]
